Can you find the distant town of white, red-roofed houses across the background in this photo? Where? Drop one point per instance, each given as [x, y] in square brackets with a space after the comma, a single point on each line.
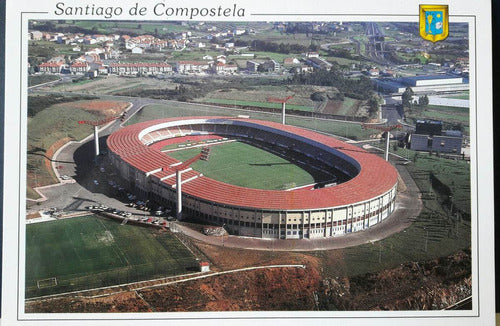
[221, 51]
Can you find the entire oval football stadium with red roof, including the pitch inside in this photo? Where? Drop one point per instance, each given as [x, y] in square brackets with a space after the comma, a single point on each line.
[255, 178]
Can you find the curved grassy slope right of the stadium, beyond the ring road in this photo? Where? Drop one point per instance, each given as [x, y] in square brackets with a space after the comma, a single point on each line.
[432, 234]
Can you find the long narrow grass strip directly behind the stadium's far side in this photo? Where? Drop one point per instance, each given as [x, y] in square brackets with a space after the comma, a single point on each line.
[179, 109]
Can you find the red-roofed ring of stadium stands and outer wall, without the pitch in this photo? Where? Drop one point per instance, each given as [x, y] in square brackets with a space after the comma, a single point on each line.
[364, 196]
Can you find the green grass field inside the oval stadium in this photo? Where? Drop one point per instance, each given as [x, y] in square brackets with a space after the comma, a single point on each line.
[244, 165]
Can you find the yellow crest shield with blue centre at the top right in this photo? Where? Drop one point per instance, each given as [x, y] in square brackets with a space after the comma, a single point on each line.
[434, 22]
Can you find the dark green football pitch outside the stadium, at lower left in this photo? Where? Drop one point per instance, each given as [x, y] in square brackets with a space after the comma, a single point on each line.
[89, 252]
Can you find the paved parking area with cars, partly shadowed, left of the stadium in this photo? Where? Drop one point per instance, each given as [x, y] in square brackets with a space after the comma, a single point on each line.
[97, 188]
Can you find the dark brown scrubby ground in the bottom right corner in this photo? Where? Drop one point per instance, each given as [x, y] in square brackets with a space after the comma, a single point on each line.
[429, 285]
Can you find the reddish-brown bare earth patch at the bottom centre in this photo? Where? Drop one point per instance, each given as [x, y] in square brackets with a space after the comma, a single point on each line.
[269, 289]
